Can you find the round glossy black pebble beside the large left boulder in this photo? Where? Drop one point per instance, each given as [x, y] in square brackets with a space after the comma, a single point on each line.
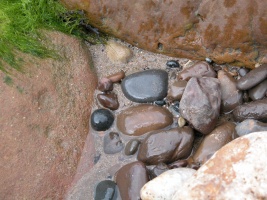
[101, 119]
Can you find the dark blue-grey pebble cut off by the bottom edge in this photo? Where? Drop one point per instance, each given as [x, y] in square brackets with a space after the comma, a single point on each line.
[106, 190]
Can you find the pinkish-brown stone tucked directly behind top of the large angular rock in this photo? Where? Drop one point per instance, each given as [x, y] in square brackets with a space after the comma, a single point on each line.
[200, 69]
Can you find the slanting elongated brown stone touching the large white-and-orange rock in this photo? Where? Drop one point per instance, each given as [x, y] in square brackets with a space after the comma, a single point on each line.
[212, 142]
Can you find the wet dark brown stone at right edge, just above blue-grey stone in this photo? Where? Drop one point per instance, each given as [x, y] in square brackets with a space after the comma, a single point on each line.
[253, 110]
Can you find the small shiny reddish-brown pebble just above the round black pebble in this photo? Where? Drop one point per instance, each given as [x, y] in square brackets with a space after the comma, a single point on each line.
[109, 100]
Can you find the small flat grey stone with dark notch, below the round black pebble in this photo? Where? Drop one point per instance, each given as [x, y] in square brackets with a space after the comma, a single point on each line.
[112, 143]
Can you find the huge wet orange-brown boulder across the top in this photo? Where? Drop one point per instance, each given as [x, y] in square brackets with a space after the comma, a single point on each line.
[191, 29]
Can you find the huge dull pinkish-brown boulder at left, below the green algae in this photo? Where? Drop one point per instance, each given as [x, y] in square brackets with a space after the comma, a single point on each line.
[44, 122]
